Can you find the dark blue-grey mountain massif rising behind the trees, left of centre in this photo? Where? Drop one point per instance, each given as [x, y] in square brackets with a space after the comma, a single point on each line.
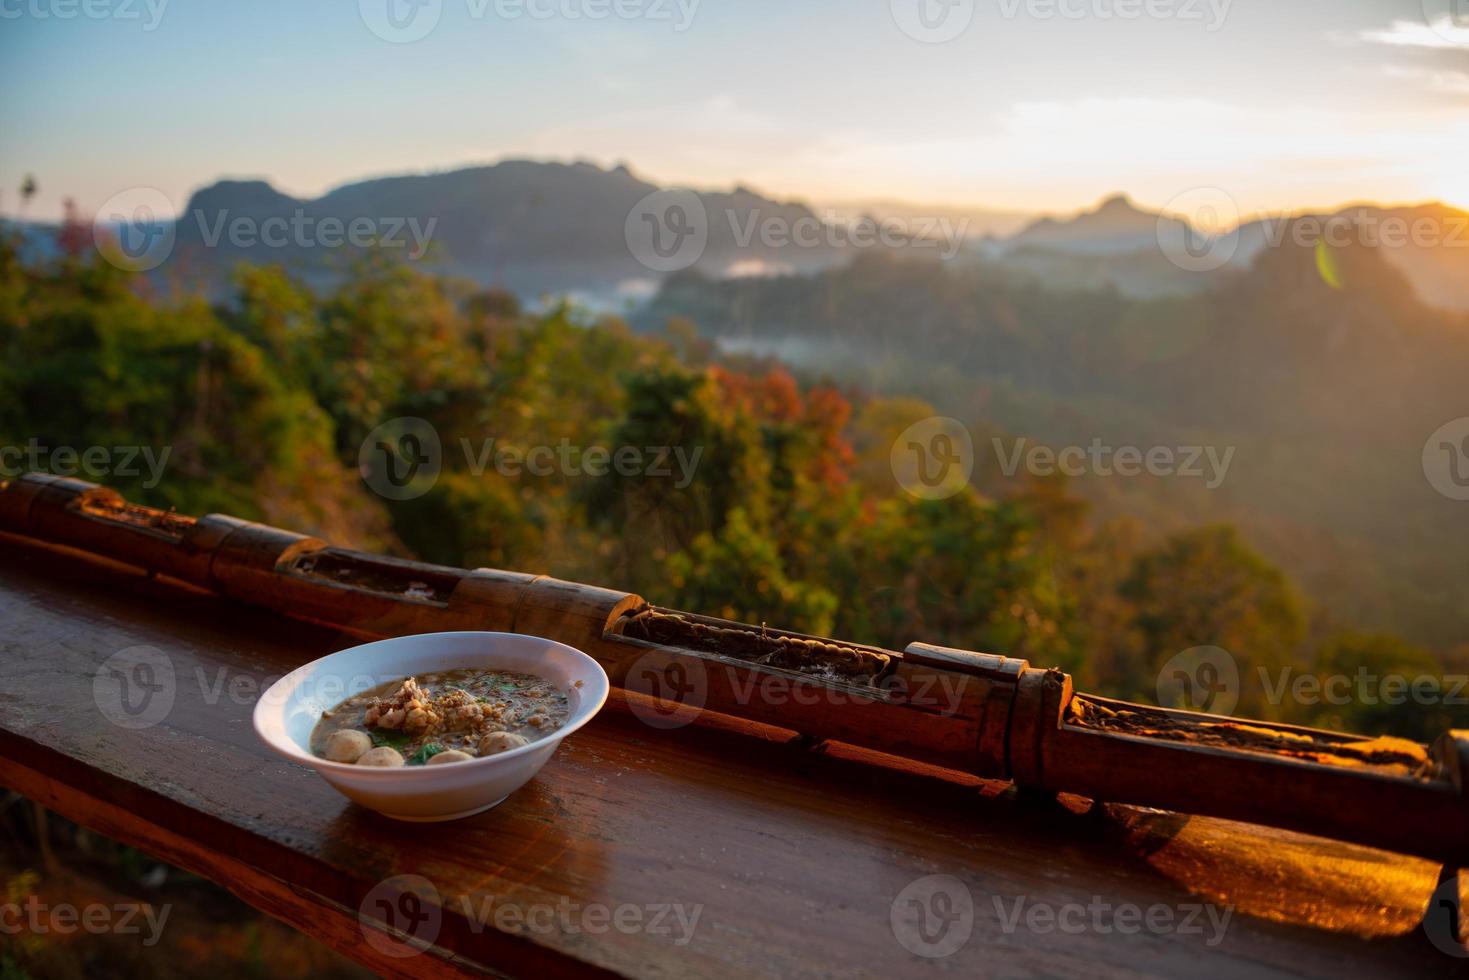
[527, 227]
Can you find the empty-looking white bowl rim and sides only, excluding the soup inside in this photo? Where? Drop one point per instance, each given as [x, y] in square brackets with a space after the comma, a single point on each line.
[292, 707]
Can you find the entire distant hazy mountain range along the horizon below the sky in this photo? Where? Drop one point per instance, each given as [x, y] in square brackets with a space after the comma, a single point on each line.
[541, 228]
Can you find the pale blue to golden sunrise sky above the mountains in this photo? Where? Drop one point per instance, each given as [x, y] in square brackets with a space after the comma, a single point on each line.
[1014, 105]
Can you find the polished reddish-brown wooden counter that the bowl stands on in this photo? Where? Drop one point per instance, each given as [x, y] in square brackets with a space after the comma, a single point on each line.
[793, 857]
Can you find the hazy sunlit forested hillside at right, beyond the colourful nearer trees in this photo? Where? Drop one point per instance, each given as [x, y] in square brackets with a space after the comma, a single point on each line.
[1320, 371]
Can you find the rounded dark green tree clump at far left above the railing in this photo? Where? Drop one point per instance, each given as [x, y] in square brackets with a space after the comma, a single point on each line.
[92, 364]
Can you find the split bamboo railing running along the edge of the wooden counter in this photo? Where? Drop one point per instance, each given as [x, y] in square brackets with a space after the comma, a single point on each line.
[991, 716]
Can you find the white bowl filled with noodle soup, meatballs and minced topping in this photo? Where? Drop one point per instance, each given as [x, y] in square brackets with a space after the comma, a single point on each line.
[436, 727]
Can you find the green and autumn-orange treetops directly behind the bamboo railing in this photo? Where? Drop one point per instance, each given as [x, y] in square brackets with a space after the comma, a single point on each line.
[776, 503]
